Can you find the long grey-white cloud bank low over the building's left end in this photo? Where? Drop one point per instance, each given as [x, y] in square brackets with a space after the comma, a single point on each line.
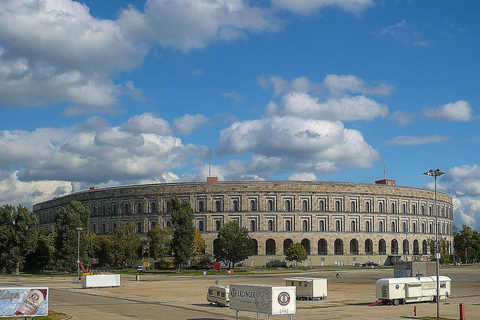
[64, 157]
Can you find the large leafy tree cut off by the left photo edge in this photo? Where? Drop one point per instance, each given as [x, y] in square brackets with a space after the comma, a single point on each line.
[18, 236]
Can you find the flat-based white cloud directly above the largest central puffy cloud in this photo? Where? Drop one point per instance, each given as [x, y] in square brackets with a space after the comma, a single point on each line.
[344, 108]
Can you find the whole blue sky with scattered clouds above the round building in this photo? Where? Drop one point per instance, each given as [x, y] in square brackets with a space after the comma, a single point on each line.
[121, 92]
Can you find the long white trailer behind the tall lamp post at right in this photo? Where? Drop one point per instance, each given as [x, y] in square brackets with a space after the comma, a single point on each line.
[412, 289]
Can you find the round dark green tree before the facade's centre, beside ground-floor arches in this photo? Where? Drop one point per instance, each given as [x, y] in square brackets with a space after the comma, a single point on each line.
[233, 244]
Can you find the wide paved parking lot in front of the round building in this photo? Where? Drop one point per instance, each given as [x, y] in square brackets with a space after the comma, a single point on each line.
[184, 297]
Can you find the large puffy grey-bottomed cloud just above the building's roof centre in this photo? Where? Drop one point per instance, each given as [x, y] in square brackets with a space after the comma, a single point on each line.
[306, 144]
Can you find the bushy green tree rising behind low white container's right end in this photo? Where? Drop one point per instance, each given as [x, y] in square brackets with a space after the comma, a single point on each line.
[125, 244]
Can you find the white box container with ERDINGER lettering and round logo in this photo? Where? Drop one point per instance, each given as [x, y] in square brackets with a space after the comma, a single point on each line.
[266, 299]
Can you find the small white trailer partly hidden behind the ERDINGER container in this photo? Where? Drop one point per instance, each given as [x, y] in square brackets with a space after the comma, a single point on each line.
[308, 288]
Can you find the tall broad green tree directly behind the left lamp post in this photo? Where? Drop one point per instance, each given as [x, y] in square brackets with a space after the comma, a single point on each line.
[66, 222]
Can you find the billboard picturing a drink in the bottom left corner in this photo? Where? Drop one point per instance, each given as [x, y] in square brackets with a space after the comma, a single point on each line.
[23, 301]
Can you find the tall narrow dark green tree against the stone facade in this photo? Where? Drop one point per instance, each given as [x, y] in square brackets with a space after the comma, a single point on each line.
[183, 231]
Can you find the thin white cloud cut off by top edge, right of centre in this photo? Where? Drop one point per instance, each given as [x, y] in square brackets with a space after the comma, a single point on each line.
[309, 6]
